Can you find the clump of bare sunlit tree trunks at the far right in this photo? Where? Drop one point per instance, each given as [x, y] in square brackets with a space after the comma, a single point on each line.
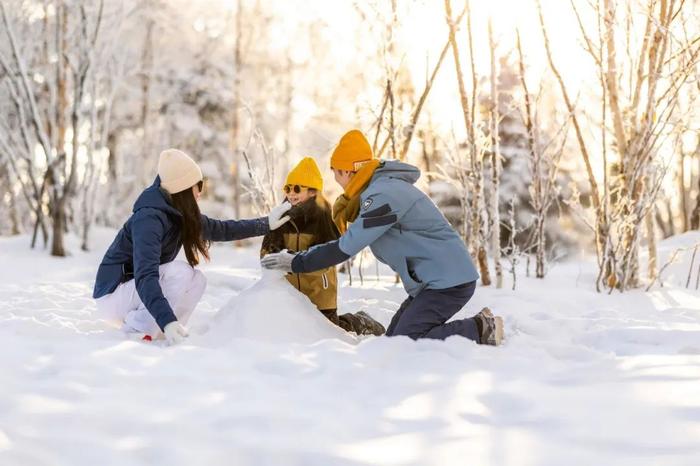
[642, 118]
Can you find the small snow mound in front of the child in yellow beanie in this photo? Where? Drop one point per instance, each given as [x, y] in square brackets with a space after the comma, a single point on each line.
[271, 310]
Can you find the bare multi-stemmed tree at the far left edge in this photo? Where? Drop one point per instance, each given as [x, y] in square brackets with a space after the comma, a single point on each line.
[47, 110]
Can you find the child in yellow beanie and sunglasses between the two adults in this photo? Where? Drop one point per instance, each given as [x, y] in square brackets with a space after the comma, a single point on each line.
[311, 224]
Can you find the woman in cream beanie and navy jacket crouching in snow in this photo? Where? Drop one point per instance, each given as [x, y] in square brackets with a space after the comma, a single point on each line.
[139, 283]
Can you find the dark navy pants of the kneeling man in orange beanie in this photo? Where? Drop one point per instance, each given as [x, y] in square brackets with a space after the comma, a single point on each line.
[424, 315]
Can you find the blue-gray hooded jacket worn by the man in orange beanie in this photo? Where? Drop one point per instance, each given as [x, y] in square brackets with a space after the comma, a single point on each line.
[404, 229]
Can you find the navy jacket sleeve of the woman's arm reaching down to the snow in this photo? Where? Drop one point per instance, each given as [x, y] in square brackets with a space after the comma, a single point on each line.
[147, 234]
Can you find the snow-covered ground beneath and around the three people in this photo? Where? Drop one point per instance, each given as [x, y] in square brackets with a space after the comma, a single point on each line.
[584, 378]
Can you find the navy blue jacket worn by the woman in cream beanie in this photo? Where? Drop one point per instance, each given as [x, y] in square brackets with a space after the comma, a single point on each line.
[151, 237]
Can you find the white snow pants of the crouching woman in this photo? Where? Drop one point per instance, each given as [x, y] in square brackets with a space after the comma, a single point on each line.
[182, 285]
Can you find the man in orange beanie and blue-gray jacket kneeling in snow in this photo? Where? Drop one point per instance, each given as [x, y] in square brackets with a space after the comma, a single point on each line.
[405, 230]
